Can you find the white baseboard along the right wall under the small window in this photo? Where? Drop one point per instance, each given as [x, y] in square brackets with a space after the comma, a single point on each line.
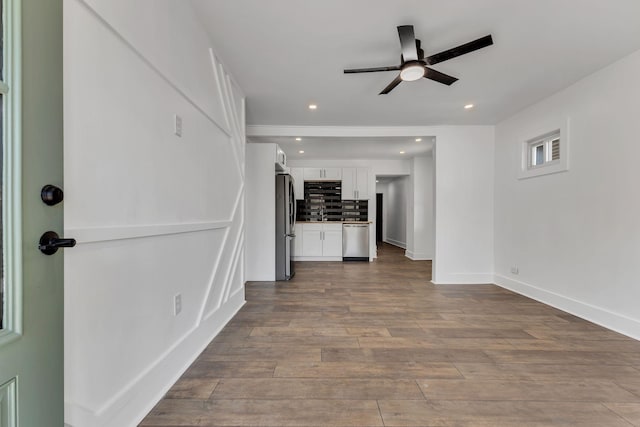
[598, 315]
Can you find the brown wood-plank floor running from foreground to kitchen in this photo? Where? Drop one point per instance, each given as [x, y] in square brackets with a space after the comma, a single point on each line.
[376, 344]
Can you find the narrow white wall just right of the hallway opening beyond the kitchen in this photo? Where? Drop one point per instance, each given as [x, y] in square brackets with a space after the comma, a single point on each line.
[420, 224]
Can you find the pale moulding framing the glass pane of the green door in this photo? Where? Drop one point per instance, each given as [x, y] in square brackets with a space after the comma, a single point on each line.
[12, 172]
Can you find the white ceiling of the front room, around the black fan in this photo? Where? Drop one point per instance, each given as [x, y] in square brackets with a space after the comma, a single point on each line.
[286, 54]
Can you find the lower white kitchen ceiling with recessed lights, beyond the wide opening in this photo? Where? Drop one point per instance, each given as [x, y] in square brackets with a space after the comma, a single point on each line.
[352, 147]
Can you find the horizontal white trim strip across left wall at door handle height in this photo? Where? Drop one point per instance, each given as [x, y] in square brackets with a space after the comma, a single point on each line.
[105, 234]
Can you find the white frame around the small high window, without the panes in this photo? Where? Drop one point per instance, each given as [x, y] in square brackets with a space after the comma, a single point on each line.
[549, 166]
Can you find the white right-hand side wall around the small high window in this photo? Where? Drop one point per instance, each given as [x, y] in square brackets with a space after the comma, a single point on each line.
[575, 236]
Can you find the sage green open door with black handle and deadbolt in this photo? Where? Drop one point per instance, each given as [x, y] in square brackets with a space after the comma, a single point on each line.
[31, 333]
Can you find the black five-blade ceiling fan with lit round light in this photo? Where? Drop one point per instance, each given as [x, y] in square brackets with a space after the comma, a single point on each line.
[413, 64]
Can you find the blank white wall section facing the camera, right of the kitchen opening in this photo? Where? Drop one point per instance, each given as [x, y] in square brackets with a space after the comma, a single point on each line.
[463, 160]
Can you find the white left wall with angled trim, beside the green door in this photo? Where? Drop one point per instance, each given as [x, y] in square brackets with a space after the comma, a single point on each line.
[154, 215]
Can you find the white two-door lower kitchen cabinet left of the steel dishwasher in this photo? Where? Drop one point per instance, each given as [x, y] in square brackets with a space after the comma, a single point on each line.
[319, 242]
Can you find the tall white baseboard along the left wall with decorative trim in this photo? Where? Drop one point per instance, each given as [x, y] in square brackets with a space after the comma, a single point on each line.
[130, 407]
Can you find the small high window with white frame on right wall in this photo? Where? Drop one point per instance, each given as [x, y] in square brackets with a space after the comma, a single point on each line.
[546, 154]
